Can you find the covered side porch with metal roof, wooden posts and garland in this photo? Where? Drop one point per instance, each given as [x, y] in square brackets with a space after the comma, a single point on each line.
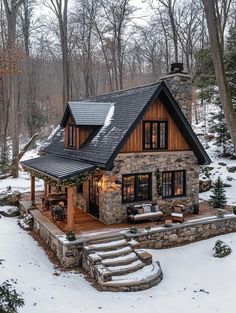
[63, 180]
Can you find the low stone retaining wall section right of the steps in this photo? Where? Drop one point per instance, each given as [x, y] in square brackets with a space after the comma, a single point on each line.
[185, 233]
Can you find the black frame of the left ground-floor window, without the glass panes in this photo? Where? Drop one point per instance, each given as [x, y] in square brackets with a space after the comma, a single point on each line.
[136, 187]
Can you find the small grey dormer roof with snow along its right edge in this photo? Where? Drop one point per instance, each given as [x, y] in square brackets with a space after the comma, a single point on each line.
[87, 113]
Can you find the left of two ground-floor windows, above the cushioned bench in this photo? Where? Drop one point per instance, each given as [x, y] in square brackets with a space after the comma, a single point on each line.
[137, 187]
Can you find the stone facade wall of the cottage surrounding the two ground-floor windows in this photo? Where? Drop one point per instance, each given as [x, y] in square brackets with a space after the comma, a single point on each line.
[111, 208]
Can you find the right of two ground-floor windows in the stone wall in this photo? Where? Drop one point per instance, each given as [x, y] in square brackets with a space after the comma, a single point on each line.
[173, 184]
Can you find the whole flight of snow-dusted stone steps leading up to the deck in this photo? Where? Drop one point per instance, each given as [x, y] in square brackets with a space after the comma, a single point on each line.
[117, 265]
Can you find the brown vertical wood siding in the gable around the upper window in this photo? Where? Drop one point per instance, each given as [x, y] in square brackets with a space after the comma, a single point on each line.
[156, 111]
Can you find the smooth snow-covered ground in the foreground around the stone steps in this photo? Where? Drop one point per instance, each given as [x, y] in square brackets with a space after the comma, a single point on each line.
[194, 281]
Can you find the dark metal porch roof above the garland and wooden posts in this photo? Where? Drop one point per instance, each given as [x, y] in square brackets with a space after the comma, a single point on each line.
[58, 168]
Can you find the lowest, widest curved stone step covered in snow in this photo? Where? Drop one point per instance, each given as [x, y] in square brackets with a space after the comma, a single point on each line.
[144, 278]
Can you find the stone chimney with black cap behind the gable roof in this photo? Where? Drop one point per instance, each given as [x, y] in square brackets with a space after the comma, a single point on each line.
[180, 84]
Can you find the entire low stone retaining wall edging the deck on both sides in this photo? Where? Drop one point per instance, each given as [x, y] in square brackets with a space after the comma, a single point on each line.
[70, 254]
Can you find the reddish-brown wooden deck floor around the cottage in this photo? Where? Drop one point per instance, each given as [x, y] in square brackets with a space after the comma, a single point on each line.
[86, 223]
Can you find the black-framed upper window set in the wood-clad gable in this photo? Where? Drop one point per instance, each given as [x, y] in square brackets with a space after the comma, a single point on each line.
[155, 135]
